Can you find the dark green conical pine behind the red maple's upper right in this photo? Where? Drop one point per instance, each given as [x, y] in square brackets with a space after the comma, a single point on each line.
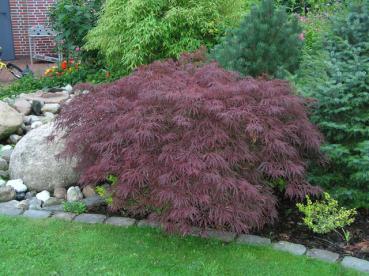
[267, 42]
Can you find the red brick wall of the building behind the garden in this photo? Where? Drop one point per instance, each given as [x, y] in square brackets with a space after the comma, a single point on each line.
[25, 14]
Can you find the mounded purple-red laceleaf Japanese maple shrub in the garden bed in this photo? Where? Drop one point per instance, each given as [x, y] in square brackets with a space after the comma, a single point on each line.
[193, 144]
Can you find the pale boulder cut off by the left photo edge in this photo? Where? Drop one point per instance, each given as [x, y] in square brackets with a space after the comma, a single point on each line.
[10, 120]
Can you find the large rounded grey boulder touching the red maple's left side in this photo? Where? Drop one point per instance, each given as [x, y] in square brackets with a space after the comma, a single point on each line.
[35, 160]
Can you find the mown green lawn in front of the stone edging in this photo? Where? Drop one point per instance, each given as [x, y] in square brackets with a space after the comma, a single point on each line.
[51, 247]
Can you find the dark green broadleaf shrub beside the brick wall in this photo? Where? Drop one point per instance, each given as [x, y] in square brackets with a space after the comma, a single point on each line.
[72, 19]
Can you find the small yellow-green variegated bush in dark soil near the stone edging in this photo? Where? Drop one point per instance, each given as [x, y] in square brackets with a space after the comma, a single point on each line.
[325, 216]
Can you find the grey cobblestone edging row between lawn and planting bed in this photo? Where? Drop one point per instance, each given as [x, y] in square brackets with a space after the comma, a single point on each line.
[292, 248]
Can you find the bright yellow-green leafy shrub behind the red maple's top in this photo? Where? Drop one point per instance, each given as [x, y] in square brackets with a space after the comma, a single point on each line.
[131, 33]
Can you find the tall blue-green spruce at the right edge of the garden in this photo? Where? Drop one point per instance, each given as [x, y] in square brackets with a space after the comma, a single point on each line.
[342, 111]
